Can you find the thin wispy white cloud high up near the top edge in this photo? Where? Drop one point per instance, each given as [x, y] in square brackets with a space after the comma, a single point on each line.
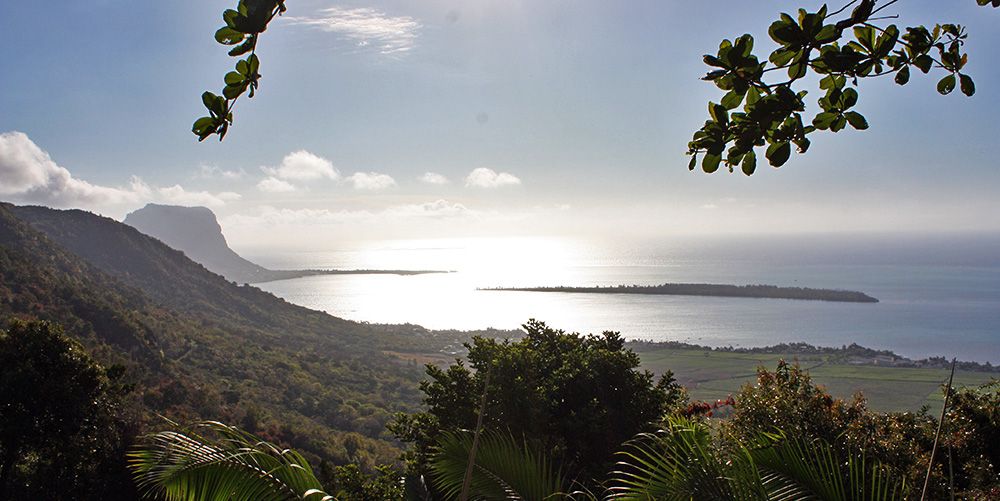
[365, 28]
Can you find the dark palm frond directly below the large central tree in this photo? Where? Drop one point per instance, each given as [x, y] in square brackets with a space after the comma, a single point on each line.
[505, 468]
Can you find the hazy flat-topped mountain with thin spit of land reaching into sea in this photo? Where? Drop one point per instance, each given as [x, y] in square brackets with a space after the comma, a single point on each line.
[196, 232]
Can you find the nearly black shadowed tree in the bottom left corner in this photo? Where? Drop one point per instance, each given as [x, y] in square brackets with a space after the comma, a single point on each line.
[64, 427]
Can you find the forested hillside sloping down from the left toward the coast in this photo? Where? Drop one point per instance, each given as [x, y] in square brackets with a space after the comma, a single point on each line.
[203, 347]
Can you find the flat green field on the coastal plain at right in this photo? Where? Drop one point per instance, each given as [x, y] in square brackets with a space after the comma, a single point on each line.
[711, 375]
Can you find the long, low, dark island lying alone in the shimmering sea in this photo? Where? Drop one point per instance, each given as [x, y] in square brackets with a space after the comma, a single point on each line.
[719, 290]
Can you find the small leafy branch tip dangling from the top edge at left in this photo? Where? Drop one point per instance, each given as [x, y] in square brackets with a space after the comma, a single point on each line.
[242, 30]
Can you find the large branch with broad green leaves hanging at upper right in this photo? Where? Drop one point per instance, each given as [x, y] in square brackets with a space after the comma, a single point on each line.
[758, 113]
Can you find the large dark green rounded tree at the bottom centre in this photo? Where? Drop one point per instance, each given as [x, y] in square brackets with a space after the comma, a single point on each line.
[573, 398]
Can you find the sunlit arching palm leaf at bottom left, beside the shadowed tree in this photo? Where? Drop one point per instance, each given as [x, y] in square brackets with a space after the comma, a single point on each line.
[221, 464]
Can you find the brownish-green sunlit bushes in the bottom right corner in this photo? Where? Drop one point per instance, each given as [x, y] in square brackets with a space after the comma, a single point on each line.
[788, 400]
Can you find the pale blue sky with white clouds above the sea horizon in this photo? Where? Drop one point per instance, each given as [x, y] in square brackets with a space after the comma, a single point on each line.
[451, 118]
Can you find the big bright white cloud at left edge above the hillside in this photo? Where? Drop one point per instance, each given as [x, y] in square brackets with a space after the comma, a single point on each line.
[30, 175]
